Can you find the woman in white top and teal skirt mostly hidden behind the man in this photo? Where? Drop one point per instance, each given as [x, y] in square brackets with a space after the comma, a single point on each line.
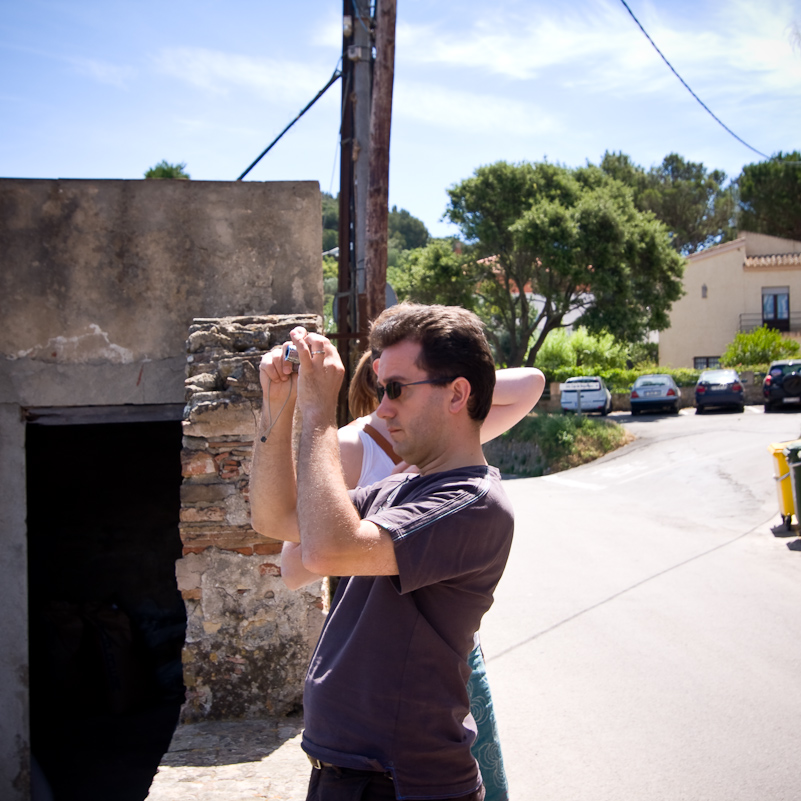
[367, 456]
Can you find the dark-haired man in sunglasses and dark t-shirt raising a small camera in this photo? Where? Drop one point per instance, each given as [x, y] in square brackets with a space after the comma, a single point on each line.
[385, 703]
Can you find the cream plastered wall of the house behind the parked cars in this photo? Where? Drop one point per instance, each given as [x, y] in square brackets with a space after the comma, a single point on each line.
[703, 324]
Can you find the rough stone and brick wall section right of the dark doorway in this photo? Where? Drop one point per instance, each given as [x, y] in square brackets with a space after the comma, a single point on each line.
[248, 638]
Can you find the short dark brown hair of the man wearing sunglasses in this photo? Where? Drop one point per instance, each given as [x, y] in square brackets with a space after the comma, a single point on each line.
[452, 342]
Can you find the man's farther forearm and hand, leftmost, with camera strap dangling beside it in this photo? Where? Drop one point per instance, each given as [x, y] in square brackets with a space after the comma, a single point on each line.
[273, 490]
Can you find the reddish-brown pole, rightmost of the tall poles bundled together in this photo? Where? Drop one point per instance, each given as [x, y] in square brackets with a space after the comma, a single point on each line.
[378, 187]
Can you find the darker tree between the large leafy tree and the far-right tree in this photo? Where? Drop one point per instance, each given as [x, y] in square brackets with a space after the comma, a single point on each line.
[696, 205]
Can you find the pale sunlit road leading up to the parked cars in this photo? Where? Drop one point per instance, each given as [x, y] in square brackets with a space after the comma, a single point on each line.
[645, 641]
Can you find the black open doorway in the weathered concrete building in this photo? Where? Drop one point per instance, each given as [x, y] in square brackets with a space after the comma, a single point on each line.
[107, 622]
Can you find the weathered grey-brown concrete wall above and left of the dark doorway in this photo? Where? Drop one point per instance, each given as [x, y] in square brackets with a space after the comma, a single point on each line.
[99, 284]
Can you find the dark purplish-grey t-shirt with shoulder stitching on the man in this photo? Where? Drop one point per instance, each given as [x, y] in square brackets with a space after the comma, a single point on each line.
[386, 684]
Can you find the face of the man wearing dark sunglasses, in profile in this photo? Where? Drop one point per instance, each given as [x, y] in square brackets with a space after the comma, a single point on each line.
[418, 418]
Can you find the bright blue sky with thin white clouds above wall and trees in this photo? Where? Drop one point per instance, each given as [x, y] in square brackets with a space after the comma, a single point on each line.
[107, 89]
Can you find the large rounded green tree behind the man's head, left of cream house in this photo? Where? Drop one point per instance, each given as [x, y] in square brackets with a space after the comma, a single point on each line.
[549, 241]
